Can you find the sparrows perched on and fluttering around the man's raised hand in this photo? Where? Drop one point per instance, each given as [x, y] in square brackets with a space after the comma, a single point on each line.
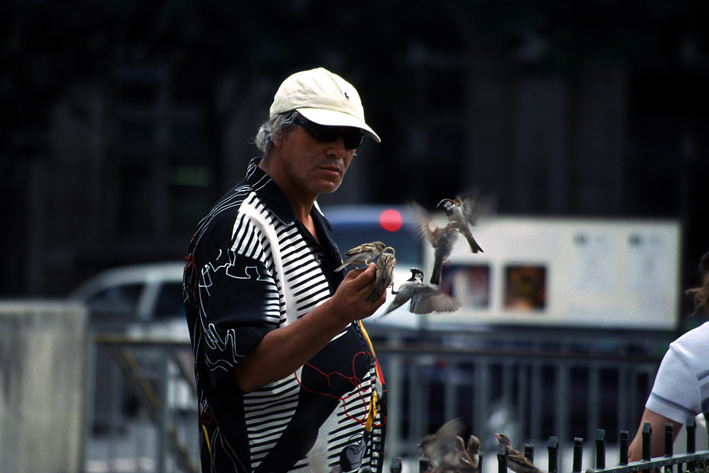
[461, 214]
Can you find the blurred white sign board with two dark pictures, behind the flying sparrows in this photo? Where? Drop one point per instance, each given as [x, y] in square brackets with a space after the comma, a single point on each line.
[565, 272]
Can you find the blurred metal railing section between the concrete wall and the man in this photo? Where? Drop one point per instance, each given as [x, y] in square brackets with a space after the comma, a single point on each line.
[142, 409]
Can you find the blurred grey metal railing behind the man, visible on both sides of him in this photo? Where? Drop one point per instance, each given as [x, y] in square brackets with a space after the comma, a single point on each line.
[143, 411]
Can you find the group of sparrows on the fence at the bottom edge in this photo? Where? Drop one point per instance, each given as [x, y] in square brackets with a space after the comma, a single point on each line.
[446, 452]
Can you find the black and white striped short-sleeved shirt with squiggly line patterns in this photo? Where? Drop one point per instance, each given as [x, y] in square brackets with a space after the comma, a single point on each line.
[253, 267]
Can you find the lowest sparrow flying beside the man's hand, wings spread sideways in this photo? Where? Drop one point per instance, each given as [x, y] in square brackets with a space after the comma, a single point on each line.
[424, 299]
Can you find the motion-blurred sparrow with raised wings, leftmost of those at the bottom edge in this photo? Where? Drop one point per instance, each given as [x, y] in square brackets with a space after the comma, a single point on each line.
[445, 450]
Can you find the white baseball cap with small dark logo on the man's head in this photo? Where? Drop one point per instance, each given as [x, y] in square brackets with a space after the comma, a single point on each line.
[323, 98]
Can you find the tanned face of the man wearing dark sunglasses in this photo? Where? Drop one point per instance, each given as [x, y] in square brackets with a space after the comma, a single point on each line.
[312, 165]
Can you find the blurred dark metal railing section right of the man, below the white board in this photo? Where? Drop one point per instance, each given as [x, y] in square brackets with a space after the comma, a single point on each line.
[528, 385]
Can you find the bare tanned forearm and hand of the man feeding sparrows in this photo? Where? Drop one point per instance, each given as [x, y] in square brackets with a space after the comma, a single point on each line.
[284, 350]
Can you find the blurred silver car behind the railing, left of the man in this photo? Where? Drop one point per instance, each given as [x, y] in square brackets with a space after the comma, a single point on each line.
[135, 300]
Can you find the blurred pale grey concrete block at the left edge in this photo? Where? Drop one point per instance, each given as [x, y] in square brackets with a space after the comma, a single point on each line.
[42, 347]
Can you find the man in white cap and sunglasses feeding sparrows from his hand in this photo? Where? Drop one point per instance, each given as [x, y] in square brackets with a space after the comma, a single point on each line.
[287, 379]
